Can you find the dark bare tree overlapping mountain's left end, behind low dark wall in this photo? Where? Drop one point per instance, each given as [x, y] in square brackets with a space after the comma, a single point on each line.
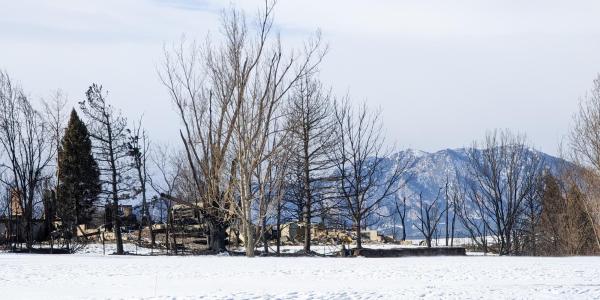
[360, 164]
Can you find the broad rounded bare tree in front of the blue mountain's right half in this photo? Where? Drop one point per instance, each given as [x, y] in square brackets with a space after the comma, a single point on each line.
[505, 173]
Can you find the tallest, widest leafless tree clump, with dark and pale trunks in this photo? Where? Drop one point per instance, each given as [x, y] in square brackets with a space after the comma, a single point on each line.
[229, 98]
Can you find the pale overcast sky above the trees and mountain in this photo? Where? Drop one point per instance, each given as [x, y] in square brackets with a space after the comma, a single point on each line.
[443, 72]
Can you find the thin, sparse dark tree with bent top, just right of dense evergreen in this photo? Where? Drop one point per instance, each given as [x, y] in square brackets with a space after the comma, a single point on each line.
[108, 129]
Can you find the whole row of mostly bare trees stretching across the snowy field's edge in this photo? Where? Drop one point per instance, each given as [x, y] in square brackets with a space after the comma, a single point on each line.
[264, 142]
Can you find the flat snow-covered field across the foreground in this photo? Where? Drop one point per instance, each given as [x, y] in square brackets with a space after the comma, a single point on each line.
[89, 275]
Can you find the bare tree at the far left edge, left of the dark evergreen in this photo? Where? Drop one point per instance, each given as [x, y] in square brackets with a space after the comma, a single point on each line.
[24, 138]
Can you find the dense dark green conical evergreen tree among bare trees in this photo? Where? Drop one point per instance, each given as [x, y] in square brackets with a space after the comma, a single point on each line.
[79, 176]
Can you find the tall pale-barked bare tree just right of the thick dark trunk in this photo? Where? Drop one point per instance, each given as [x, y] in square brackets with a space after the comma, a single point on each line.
[275, 73]
